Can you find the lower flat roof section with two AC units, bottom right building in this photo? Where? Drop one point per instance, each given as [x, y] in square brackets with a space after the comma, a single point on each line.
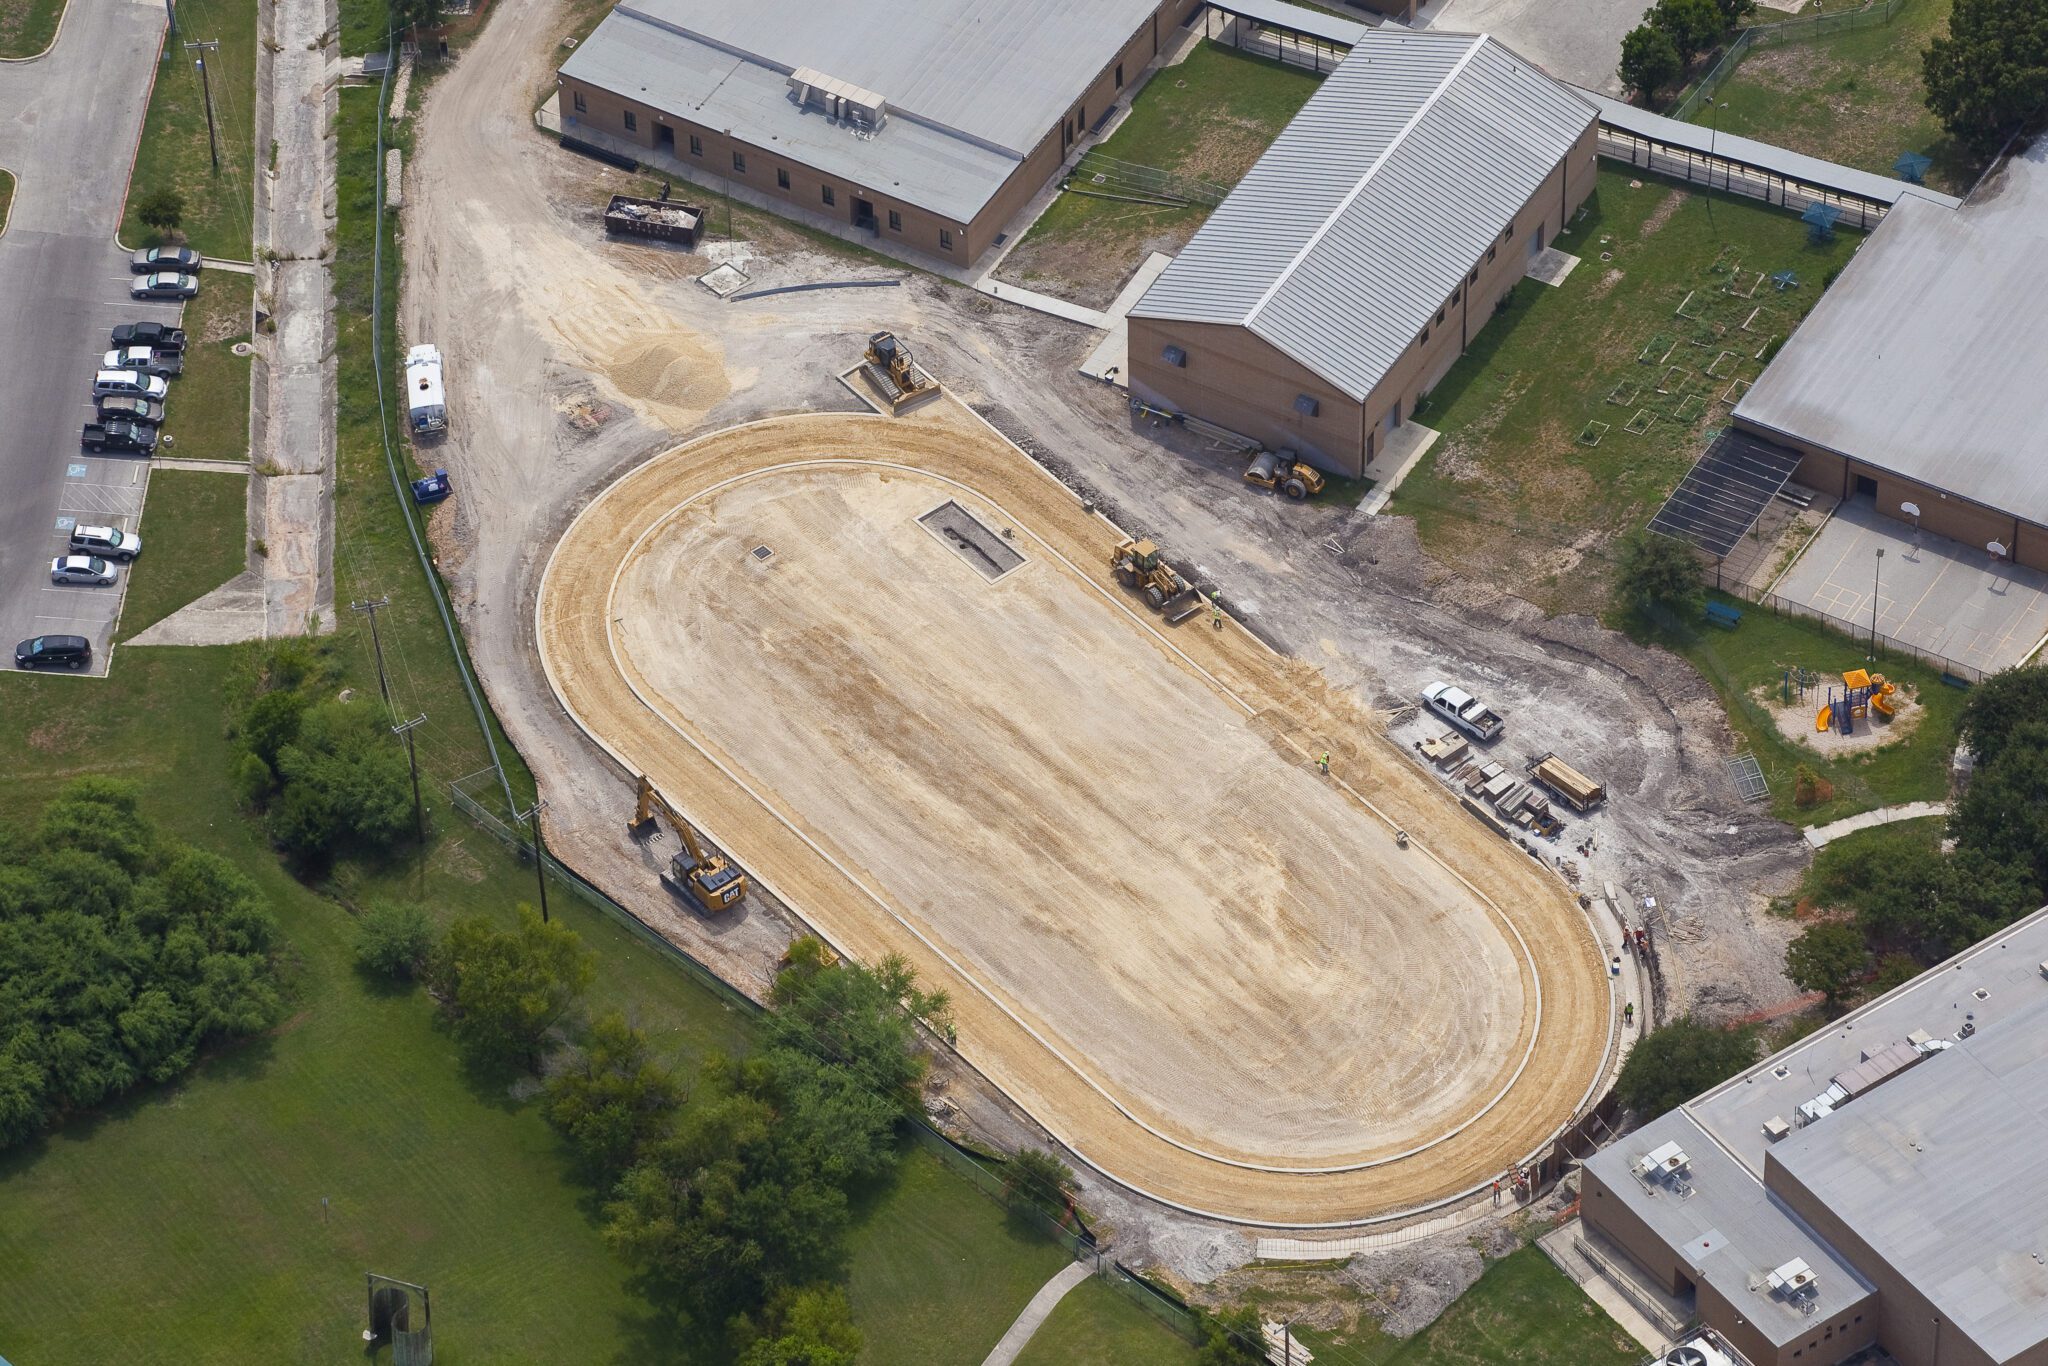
[1727, 1228]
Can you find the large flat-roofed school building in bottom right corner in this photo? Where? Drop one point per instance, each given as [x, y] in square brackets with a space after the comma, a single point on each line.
[1879, 1185]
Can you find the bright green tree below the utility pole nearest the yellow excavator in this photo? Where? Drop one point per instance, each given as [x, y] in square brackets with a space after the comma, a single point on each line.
[509, 988]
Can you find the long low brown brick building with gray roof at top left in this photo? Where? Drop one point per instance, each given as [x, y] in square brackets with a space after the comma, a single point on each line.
[927, 122]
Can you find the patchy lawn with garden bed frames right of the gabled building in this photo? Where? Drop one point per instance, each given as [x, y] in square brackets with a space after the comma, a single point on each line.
[1514, 493]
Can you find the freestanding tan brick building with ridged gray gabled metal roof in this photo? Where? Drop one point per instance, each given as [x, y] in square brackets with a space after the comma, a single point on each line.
[1367, 249]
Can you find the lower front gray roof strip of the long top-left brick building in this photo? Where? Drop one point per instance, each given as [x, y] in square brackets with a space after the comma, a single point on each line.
[703, 85]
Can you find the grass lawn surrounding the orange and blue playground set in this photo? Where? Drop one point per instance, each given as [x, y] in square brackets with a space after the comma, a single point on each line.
[1754, 658]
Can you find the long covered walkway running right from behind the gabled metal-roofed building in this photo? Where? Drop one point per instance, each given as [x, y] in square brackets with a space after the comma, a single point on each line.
[1748, 167]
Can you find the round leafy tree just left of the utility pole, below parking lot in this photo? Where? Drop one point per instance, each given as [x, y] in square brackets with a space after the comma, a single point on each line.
[345, 781]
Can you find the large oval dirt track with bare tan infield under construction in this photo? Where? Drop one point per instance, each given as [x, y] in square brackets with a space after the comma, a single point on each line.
[1203, 966]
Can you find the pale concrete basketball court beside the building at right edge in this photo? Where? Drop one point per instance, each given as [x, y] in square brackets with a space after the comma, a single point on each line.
[1934, 593]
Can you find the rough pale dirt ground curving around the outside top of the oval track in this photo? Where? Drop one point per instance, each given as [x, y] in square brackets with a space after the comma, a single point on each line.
[538, 353]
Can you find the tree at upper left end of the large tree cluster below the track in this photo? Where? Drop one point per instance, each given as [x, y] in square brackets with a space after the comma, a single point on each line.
[611, 1101]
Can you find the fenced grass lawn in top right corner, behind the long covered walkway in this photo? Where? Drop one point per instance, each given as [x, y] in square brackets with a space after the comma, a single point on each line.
[1850, 97]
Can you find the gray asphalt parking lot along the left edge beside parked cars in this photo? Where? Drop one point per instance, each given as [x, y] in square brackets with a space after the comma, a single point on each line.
[69, 124]
